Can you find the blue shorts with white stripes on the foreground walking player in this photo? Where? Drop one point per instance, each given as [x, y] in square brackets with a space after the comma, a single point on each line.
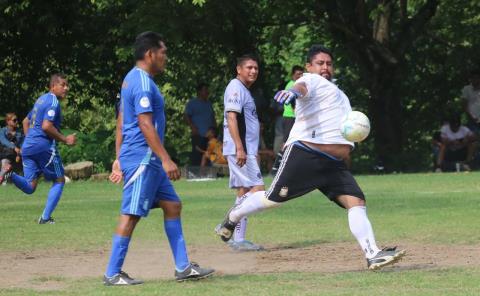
[144, 188]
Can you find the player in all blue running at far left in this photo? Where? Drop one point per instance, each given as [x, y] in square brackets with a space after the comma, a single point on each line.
[39, 150]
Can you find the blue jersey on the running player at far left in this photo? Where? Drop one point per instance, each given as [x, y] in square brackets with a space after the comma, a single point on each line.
[47, 107]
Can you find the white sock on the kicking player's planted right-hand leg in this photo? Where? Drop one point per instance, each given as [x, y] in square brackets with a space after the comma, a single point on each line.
[362, 230]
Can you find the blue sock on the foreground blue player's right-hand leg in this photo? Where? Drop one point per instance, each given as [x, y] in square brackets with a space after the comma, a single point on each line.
[173, 229]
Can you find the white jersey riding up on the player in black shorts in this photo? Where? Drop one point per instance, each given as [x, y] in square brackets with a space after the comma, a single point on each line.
[318, 115]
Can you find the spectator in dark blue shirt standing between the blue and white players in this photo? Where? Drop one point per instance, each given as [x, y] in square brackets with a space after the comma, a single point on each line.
[199, 115]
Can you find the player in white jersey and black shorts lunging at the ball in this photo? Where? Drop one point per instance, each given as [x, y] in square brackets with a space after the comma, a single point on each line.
[313, 159]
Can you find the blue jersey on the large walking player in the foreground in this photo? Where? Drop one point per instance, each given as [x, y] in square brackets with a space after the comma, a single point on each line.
[140, 95]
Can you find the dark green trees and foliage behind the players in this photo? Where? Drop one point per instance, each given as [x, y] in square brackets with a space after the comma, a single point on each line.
[402, 62]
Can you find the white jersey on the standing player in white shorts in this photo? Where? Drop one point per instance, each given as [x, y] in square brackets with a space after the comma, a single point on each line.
[238, 99]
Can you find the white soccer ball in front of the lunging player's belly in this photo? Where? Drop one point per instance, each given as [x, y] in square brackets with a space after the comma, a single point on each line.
[355, 126]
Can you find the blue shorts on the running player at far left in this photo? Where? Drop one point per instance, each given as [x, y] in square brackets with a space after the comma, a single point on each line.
[47, 163]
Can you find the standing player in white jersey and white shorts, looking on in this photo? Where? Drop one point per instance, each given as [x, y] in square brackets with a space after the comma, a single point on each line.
[240, 142]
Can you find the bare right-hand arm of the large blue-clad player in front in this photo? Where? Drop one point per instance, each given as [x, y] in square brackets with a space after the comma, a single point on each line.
[153, 141]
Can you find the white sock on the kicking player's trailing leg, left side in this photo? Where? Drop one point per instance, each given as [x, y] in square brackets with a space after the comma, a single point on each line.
[256, 202]
